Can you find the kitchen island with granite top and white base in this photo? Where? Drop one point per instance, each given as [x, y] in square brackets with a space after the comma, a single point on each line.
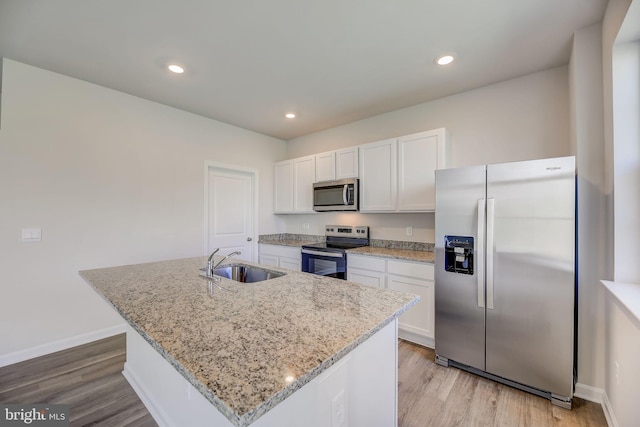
[298, 348]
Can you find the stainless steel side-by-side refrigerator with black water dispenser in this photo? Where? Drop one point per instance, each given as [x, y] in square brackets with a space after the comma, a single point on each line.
[505, 284]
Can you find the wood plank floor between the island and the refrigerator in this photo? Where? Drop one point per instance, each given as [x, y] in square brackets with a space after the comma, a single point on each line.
[432, 395]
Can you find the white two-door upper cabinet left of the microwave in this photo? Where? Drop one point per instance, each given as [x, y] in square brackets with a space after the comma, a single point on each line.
[293, 185]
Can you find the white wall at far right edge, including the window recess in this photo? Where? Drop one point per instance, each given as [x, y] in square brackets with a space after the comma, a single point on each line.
[621, 66]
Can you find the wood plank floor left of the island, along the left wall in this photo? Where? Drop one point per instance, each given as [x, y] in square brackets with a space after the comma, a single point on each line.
[88, 378]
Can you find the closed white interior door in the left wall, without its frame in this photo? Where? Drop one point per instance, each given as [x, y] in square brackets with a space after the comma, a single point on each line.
[230, 211]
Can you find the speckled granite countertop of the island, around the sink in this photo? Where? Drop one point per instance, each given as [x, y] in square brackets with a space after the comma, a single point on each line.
[249, 347]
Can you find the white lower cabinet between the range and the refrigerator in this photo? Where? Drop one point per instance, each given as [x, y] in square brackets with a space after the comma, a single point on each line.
[417, 324]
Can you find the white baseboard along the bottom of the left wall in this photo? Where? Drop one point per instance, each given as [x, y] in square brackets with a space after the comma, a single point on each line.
[63, 344]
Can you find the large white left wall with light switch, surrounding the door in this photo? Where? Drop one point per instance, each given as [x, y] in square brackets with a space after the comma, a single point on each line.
[111, 179]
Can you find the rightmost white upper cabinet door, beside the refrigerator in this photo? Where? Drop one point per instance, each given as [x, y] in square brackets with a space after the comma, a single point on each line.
[419, 156]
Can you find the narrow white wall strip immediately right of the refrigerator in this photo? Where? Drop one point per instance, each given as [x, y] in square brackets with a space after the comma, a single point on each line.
[587, 140]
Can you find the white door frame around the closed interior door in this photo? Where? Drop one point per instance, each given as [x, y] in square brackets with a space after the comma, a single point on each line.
[253, 174]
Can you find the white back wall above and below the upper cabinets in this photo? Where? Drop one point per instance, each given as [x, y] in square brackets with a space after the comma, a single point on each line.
[519, 119]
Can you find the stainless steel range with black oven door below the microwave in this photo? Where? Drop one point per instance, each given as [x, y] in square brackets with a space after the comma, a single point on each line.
[330, 258]
